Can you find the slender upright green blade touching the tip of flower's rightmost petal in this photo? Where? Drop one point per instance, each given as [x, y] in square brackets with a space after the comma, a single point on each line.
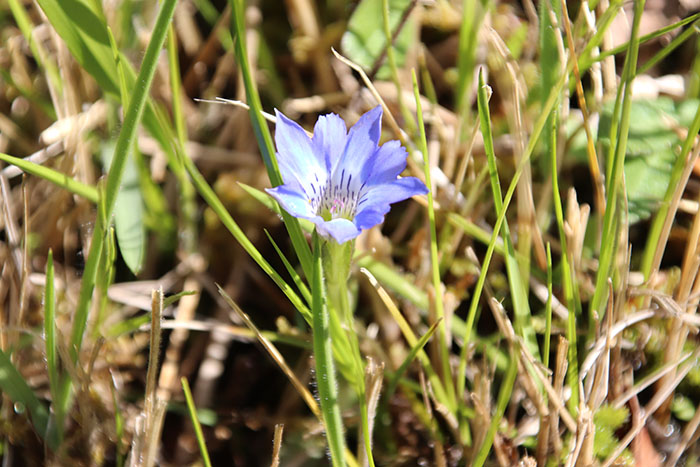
[448, 380]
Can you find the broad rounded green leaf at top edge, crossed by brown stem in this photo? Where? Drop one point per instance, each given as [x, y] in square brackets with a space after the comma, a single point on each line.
[364, 40]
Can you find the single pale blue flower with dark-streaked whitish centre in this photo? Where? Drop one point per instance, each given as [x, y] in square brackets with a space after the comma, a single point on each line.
[340, 180]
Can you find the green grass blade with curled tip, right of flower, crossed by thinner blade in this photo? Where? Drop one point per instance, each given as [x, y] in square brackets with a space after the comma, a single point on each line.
[521, 307]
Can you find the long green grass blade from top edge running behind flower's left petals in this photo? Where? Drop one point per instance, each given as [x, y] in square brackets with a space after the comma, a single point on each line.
[262, 133]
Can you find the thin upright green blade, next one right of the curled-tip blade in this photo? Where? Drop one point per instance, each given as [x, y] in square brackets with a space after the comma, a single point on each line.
[568, 274]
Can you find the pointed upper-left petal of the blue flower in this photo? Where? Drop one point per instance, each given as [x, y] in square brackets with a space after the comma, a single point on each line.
[299, 160]
